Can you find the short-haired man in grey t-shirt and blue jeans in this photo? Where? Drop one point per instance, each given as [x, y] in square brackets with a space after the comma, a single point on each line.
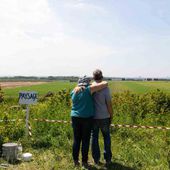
[102, 119]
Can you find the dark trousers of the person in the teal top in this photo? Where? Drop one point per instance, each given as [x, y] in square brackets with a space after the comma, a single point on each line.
[81, 130]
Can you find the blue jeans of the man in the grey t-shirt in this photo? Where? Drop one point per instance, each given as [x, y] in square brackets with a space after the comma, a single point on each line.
[104, 126]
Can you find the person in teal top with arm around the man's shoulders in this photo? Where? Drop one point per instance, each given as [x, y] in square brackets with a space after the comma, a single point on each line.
[82, 114]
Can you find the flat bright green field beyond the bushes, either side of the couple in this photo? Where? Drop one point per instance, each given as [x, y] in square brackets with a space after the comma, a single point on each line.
[115, 86]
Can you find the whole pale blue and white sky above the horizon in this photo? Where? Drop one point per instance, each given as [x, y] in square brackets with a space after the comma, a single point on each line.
[123, 38]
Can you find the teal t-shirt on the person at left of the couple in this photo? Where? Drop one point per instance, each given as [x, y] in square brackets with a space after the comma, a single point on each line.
[82, 104]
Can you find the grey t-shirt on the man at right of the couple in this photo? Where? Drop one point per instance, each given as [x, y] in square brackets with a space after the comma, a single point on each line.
[100, 99]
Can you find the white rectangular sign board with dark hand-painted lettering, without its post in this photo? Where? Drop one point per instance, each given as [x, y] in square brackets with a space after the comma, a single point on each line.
[27, 97]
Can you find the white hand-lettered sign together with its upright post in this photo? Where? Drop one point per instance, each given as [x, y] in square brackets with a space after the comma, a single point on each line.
[27, 97]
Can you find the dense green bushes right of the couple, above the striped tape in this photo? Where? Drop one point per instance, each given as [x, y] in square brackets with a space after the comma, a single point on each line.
[151, 108]
